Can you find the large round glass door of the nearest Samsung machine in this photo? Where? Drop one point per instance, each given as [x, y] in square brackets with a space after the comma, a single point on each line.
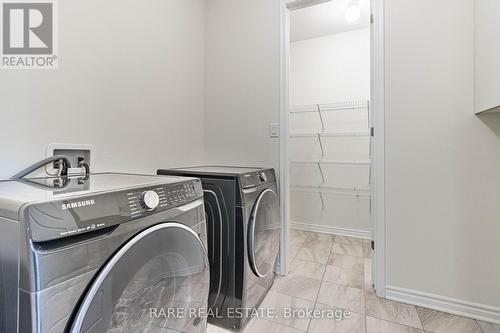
[157, 282]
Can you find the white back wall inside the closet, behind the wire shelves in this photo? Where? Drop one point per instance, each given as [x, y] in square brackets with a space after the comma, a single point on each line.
[329, 133]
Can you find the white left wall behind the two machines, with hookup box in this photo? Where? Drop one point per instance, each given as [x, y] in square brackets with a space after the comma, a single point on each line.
[130, 81]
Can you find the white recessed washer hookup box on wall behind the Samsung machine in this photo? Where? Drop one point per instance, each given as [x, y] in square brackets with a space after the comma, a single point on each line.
[75, 153]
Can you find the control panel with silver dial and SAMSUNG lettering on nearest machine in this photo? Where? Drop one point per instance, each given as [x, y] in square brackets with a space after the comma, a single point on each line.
[65, 218]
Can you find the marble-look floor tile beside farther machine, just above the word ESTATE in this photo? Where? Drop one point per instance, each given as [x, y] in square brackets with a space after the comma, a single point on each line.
[297, 286]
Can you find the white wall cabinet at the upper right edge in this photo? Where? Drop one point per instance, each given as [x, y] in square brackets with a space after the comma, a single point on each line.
[486, 56]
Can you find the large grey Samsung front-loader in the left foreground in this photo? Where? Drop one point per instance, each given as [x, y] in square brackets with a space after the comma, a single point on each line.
[103, 253]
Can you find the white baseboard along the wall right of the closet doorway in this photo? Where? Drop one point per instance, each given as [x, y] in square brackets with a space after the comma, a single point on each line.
[445, 304]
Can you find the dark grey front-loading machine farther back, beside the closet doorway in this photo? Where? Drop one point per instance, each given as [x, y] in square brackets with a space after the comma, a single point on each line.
[243, 223]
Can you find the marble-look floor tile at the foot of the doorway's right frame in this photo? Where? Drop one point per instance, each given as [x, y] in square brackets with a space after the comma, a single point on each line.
[400, 313]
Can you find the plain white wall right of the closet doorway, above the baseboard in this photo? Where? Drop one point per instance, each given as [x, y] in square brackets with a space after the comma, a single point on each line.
[442, 176]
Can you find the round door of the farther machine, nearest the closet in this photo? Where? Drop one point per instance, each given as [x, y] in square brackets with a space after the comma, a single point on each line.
[264, 233]
